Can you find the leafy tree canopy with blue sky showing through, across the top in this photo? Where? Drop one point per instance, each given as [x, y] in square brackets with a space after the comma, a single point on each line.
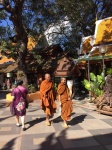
[22, 18]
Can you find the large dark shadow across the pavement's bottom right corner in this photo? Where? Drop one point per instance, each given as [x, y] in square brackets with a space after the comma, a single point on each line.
[76, 144]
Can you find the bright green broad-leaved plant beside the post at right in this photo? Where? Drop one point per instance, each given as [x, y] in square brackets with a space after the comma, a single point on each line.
[95, 85]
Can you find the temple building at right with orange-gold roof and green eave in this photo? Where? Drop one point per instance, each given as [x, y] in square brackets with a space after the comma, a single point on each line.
[91, 45]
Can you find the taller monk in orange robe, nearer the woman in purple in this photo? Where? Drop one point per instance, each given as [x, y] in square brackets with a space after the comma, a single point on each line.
[47, 97]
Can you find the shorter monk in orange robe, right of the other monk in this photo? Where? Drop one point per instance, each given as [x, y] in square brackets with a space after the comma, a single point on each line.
[65, 101]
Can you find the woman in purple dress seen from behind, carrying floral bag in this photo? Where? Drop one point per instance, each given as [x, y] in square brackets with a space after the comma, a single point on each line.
[18, 93]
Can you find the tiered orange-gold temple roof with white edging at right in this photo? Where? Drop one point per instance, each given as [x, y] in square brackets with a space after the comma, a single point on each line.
[103, 35]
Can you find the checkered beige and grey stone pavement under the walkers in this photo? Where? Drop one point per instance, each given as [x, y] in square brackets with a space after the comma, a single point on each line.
[87, 130]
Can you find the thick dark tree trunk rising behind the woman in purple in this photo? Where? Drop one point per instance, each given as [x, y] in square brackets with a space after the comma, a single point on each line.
[21, 39]
